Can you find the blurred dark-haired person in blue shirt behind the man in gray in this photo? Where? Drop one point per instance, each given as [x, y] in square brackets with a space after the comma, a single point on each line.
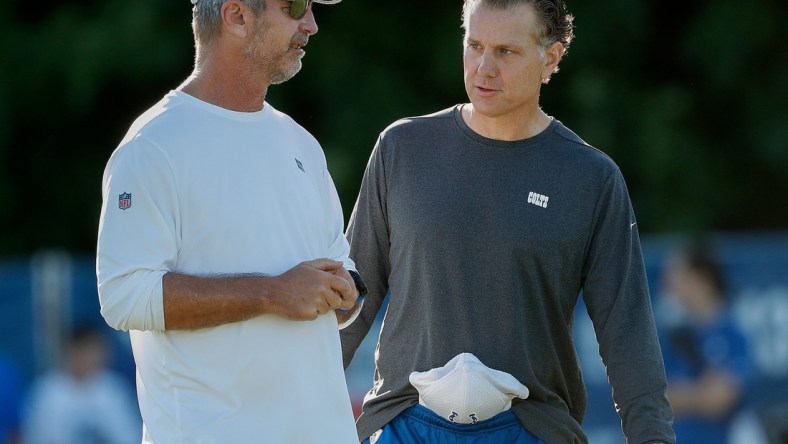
[705, 353]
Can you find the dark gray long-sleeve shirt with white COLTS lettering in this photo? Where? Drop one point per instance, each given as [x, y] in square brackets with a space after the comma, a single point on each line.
[485, 246]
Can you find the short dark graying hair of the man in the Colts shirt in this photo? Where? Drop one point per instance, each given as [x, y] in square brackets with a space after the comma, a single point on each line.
[554, 22]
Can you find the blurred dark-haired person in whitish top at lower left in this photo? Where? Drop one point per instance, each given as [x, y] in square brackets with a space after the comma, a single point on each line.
[84, 402]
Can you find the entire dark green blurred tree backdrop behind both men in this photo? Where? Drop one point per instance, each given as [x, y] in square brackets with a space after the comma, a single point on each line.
[689, 99]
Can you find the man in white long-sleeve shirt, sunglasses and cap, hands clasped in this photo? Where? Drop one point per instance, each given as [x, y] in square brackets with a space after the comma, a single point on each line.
[221, 246]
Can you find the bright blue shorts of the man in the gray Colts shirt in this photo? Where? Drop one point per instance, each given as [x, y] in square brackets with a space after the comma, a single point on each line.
[419, 424]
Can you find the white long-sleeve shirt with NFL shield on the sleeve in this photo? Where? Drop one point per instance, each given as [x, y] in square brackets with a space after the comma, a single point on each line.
[198, 189]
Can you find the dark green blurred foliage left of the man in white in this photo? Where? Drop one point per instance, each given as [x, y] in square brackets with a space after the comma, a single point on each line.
[75, 74]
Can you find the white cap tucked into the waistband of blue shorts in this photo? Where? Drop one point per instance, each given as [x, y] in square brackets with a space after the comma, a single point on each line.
[465, 391]
